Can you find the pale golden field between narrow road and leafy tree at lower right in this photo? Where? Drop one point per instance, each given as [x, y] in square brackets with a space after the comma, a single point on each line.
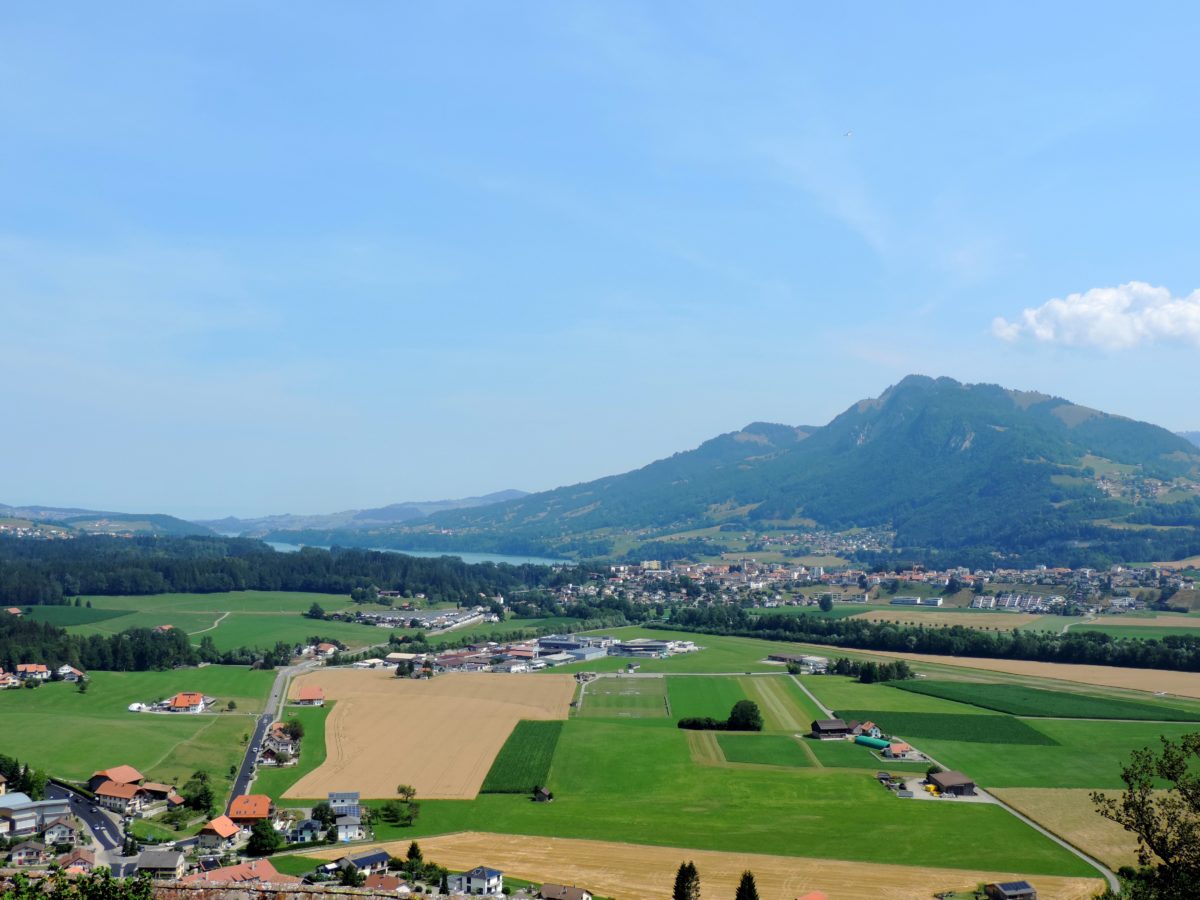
[1071, 814]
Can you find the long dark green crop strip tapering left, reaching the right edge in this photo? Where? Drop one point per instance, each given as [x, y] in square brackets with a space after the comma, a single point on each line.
[1023, 700]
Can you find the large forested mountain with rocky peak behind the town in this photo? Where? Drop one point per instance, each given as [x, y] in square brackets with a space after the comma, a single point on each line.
[947, 466]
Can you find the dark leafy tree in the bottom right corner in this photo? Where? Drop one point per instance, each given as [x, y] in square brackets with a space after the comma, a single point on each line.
[1166, 821]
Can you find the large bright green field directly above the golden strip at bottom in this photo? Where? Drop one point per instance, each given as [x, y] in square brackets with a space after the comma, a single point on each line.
[637, 782]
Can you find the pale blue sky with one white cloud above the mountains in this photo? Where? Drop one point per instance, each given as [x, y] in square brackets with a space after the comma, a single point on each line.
[303, 257]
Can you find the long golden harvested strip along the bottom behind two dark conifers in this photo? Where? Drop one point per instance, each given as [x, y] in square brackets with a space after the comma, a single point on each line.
[632, 872]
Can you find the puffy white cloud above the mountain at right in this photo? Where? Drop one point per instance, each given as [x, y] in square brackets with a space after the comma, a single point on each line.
[1114, 319]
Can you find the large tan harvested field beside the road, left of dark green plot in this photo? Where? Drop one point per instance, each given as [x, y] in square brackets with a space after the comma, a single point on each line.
[440, 736]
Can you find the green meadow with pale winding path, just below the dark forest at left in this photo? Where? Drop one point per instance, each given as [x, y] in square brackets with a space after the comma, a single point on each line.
[236, 619]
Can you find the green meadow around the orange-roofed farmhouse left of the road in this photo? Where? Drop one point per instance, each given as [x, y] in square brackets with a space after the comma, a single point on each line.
[73, 735]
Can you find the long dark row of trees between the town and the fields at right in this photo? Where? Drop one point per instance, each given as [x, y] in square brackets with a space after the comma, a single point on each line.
[1179, 653]
